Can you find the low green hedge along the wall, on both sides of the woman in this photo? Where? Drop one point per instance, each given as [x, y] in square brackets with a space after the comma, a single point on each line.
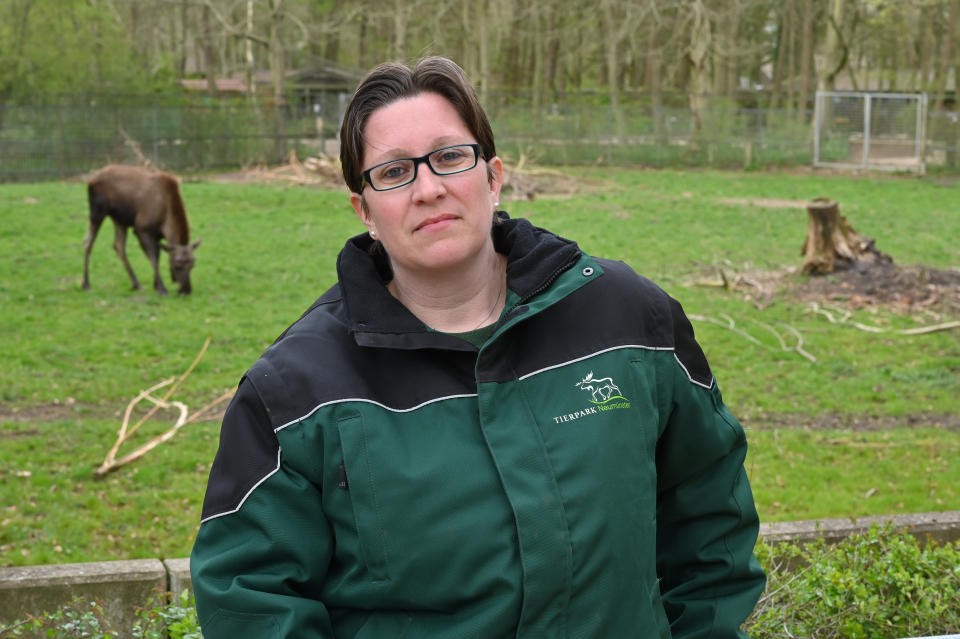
[877, 584]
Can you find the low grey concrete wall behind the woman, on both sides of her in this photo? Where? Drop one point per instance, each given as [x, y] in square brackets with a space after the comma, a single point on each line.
[124, 585]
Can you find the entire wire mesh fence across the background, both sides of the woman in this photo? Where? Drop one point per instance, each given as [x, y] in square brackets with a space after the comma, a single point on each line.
[79, 134]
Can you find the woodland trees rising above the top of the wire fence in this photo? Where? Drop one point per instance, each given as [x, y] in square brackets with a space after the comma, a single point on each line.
[784, 48]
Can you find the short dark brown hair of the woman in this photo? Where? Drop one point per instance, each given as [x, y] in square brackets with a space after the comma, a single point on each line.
[389, 82]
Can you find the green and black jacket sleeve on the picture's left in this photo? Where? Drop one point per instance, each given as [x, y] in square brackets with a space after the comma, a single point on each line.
[254, 571]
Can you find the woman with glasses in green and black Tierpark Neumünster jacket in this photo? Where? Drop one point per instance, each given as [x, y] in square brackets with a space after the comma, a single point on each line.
[479, 431]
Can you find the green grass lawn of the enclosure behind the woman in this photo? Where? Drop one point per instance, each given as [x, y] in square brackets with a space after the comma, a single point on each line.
[868, 428]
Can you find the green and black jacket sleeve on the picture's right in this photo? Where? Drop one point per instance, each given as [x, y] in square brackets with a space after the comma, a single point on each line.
[707, 522]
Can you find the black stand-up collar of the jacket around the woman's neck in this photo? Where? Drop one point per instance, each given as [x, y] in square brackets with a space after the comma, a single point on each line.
[535, 258]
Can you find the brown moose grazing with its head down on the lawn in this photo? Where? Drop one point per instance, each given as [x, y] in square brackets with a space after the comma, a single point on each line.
[150, 203]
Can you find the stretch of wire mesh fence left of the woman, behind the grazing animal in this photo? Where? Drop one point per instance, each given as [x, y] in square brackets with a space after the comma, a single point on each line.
[43, 142]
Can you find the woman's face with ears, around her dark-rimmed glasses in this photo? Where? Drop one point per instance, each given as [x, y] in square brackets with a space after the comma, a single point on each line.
[435, 223]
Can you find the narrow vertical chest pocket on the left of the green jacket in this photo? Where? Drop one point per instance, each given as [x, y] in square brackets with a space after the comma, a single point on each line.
[364, 499]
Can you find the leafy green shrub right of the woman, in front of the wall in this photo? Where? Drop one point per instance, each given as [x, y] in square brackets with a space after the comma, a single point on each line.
[877, 584]
